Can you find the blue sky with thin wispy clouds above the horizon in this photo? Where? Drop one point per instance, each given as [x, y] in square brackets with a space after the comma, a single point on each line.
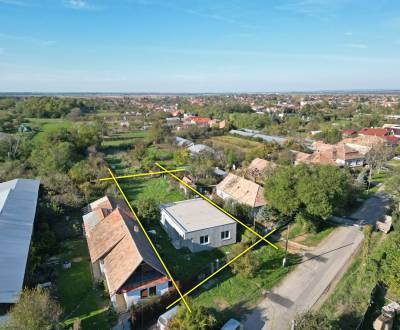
[198, 45]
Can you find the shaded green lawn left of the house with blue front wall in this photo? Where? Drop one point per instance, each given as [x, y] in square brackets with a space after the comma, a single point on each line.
[78, 296]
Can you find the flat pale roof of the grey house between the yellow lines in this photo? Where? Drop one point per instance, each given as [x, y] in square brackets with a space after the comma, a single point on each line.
[196, 214]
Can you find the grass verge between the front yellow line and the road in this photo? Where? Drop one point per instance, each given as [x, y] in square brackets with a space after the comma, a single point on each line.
[232, 295]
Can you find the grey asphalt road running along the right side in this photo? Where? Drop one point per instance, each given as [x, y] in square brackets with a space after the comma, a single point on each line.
[305, 285]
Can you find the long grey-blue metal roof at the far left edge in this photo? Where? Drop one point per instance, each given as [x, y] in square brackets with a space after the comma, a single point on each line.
[18, 199]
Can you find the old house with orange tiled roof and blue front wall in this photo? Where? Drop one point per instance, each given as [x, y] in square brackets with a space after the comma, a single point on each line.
[121, 254]
